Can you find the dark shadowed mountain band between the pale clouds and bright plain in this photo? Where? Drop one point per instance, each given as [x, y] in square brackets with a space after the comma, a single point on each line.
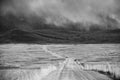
[21, 30]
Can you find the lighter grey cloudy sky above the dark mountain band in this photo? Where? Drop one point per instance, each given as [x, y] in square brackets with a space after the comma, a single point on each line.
[61, 10]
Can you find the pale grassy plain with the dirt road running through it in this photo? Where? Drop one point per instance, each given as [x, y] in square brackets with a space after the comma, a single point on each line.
[59, 62]
